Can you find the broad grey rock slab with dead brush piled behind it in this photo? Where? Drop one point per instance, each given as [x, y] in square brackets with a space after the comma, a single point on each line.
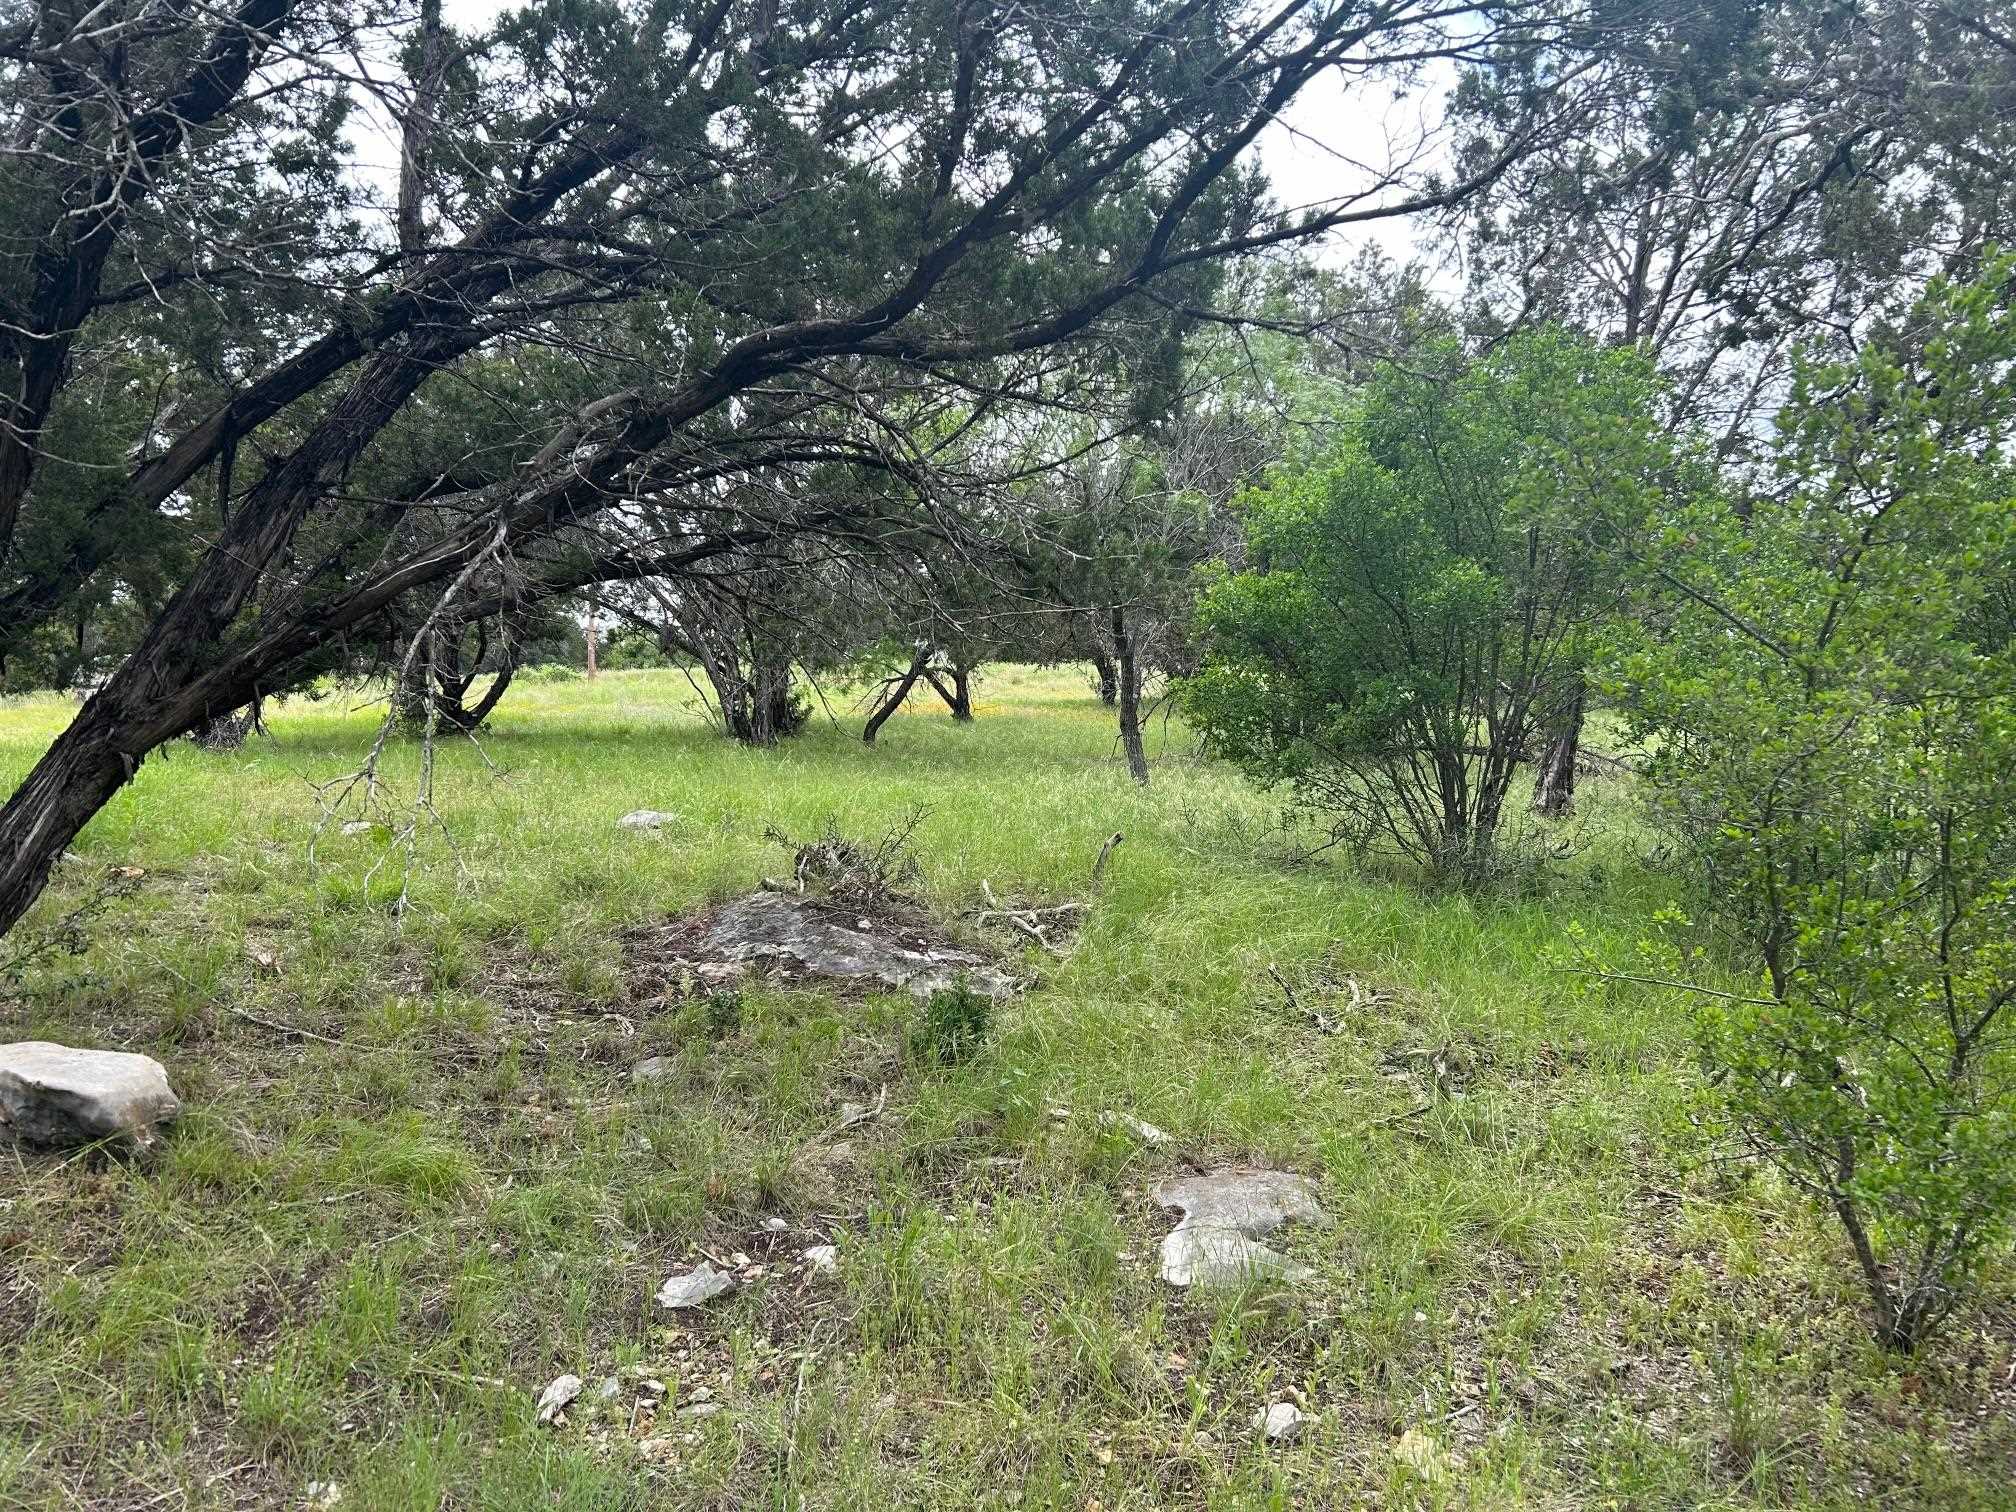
[809, 938]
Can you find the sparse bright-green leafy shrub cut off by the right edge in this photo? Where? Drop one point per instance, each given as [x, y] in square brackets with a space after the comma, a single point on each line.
[1834, 692]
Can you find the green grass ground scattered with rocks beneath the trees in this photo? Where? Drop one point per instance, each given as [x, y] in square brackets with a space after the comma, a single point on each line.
[414, 1180]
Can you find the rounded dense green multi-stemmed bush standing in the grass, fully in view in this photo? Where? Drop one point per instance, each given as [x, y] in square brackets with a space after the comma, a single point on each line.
[1420, 594]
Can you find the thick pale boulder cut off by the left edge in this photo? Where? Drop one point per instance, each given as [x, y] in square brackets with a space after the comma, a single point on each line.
[57, 1096]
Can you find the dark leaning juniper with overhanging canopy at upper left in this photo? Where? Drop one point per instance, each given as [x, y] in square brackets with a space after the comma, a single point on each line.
[731, 239]
